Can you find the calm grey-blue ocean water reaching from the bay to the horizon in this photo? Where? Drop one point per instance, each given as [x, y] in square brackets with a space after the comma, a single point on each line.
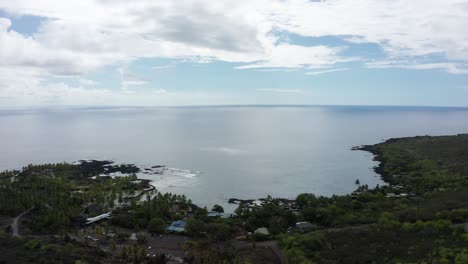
[241, 152]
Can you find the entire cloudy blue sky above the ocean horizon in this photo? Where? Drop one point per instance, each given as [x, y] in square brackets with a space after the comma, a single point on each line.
[244, 52]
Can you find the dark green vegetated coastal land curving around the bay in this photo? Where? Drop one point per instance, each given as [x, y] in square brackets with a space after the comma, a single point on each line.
[422, 207]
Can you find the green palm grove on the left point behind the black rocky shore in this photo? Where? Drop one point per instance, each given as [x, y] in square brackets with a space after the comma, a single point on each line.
[57, 194]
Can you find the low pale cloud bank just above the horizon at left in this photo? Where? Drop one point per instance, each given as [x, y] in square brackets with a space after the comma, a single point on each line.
[36, 93]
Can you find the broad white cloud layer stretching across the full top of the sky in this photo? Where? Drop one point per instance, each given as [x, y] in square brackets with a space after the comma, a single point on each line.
[79, 37]
